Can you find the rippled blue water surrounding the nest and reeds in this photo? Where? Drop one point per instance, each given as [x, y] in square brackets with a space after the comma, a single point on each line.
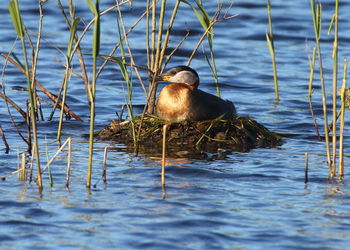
[247, 200]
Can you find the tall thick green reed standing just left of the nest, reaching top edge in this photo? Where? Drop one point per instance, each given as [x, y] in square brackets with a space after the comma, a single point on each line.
[95, 51]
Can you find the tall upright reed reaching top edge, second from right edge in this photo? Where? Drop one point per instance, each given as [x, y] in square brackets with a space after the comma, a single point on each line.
[335, 78]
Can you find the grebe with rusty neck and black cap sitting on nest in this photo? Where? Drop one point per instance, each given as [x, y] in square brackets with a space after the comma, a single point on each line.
[183, 101]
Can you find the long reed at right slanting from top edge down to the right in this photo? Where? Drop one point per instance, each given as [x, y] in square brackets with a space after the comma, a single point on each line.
[317, 20]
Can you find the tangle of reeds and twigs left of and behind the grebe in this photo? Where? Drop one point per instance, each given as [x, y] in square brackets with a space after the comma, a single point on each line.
[156, 44]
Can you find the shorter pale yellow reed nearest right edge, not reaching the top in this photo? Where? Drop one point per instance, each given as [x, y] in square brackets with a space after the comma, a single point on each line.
[342, 122]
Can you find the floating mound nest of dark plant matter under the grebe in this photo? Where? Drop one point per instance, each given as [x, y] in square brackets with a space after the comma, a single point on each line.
[237, 134]
